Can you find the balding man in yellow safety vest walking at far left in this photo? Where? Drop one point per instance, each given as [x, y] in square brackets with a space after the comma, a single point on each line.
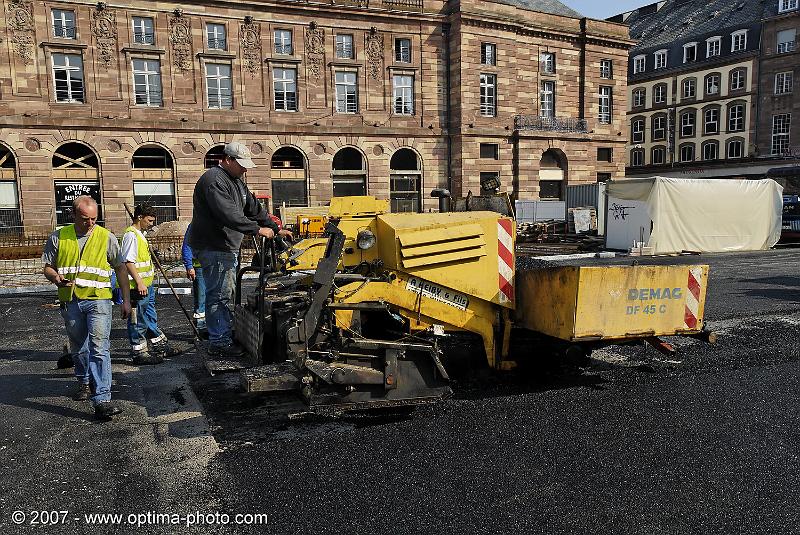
[79, 258]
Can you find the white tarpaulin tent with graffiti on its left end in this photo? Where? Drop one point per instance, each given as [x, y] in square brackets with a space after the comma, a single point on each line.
[672, 215]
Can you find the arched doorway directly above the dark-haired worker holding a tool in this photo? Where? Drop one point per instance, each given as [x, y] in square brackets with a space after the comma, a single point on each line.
[153, 176]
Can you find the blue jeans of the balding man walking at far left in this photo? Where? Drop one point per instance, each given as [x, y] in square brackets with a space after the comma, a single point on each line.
[88, 324]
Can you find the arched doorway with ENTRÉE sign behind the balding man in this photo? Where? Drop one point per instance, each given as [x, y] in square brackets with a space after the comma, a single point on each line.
[76, 172]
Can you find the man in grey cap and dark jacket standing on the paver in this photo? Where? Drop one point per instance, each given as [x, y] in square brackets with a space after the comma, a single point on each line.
[224, 211]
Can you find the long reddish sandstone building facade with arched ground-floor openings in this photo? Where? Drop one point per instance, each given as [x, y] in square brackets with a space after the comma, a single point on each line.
[392, 98]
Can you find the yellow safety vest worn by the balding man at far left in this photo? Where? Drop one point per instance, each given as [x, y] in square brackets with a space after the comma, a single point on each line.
[89, 269]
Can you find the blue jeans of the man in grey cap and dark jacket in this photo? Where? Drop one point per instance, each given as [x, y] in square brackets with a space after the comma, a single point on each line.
[219, 272]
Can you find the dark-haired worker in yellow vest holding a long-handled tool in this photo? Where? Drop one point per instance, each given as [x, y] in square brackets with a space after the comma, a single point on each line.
[143, 319]
